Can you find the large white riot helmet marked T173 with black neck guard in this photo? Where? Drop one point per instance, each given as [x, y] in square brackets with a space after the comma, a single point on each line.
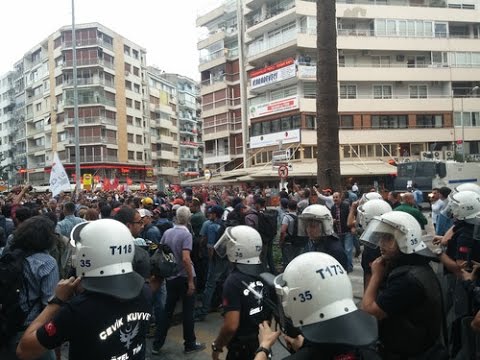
[316, 294]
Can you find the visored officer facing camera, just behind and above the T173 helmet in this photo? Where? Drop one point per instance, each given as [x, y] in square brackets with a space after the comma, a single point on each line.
[316, 223]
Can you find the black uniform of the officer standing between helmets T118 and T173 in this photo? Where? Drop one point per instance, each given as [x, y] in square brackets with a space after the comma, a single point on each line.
[237, 297]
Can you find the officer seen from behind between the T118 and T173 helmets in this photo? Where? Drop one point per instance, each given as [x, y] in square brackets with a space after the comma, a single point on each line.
[243, 293]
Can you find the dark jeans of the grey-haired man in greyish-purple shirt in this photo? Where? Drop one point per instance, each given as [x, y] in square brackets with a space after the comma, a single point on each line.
[176, 289]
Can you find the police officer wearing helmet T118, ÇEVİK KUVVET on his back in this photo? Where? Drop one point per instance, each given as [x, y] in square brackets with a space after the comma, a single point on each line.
[109, 317]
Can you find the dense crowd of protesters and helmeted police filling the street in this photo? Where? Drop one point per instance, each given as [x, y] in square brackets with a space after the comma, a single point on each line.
[89, 260]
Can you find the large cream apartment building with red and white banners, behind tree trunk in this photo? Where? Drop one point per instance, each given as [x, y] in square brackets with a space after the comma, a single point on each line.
[408, 73]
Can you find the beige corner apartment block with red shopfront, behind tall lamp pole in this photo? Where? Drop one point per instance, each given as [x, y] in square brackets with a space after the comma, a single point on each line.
[126, 113]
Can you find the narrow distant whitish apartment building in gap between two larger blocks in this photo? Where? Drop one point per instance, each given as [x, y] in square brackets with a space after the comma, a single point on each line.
[189, 126]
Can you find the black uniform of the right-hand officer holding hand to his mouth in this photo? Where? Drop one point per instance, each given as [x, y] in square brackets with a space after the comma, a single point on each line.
[411, 298]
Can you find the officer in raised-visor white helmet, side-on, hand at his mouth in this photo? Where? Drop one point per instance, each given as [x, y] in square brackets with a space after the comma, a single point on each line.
[403, 293]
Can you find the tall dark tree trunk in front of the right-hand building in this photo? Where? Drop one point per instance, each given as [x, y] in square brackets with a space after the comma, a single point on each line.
[328, 157]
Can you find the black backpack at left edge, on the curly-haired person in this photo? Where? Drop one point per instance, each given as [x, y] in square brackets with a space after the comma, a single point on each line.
[12, 282]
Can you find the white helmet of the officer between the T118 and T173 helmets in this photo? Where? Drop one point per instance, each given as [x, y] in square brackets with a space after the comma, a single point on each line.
[242, 245]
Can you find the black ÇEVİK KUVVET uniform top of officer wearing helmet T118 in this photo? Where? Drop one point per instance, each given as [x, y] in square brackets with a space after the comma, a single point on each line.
[100, 327]
